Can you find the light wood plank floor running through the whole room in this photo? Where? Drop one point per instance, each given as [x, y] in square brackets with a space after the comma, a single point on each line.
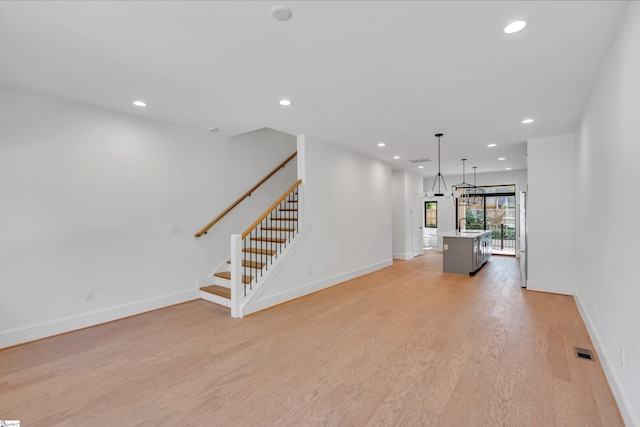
[405, 346]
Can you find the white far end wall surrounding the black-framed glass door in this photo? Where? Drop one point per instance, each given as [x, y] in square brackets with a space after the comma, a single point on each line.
[446, 207]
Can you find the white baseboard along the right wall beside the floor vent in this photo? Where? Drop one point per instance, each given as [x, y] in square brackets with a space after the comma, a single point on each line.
[626, 409]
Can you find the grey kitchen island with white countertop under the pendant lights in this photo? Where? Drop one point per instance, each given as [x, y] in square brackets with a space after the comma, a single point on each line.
[465, 252]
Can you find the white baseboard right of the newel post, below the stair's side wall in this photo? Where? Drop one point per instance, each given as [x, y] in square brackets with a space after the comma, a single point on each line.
[267, 301]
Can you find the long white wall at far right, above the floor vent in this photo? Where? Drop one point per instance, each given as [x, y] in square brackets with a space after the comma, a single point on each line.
[607, 165]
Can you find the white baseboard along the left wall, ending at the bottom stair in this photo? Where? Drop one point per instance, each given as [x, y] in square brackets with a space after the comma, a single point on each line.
[36, 331]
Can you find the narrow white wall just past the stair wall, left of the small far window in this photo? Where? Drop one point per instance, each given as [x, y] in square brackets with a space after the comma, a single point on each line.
[405, 187]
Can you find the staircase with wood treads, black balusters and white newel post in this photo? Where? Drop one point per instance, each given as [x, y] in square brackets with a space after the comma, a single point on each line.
[256, 250]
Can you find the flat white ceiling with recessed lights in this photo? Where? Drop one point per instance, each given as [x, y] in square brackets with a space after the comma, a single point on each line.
[357, 72]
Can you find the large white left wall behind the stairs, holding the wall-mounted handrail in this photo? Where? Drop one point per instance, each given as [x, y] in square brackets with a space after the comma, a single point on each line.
[87, 201]
